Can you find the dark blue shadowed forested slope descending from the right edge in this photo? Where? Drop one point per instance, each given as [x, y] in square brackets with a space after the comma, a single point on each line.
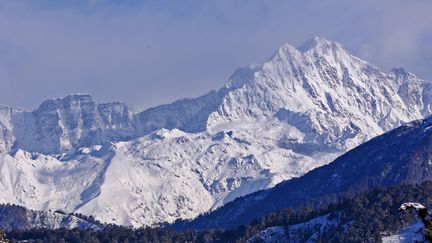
[400, 156]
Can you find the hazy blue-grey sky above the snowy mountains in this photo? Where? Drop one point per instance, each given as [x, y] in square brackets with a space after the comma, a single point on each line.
[150, 52]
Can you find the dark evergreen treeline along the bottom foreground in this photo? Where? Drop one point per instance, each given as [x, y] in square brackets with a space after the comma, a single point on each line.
[363, 217]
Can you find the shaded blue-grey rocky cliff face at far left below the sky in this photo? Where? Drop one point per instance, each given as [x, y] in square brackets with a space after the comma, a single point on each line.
[61, 125]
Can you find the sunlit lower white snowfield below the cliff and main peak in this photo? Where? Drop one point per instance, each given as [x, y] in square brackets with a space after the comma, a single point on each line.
[160, 177]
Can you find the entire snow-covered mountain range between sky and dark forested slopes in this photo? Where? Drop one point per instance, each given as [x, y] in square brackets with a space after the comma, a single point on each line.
[269, 123]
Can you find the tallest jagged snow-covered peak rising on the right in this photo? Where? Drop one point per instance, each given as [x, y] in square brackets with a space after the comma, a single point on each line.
[333, 97]
